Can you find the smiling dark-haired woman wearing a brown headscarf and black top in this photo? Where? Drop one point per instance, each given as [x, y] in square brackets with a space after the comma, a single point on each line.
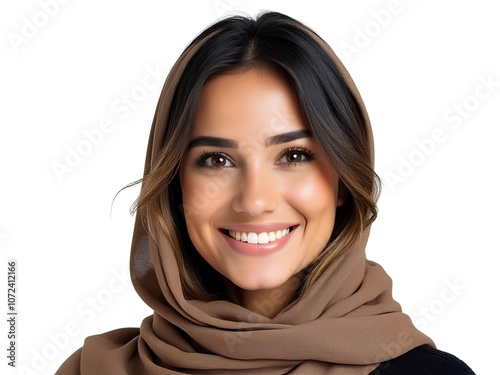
[255, 208]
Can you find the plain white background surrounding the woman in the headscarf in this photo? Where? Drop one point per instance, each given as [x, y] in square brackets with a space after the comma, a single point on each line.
[436, 232]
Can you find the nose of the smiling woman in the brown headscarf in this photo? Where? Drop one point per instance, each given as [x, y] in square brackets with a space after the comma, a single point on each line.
[257, 192]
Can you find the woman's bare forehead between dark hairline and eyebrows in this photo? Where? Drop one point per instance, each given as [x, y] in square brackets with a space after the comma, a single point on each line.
[239, 105]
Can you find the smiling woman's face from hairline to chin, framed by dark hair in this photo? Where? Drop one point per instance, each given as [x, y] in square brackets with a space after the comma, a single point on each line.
[259, 196]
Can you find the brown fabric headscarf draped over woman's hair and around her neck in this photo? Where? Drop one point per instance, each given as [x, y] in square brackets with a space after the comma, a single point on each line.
[346, 324]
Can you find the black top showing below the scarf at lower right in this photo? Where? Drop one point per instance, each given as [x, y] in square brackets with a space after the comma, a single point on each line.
[424, 360]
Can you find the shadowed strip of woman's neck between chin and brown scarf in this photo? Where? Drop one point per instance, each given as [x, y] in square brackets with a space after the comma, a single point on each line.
[266, 302]
